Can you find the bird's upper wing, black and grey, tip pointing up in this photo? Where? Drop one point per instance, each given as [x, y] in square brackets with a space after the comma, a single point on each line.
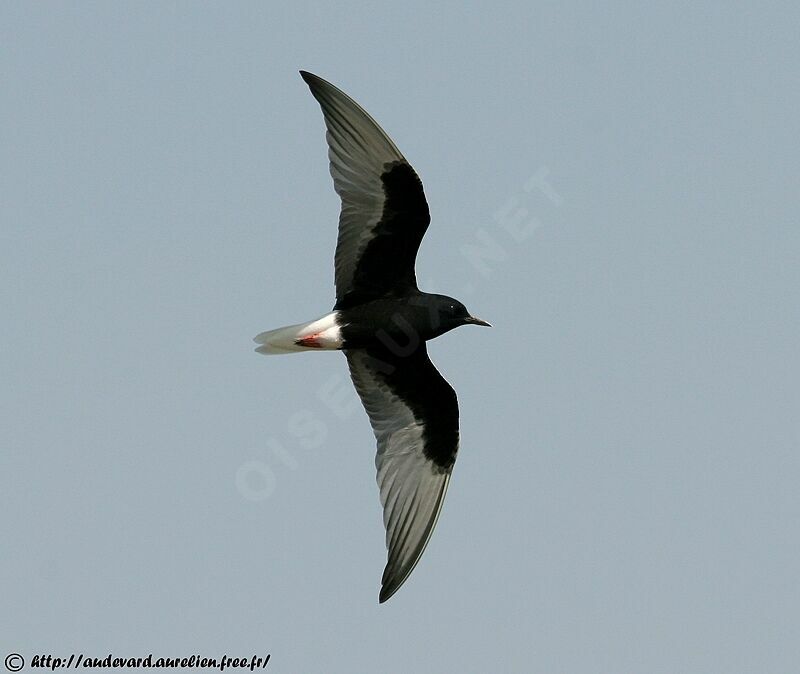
[384, 213]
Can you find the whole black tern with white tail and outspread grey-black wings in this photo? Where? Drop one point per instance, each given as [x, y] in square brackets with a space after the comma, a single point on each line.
[381, 321]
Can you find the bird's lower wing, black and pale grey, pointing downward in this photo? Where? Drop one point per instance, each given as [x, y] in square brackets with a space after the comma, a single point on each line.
[414, 414]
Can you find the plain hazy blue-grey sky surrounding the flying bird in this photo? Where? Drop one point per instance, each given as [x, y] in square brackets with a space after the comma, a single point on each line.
[626, 495]
